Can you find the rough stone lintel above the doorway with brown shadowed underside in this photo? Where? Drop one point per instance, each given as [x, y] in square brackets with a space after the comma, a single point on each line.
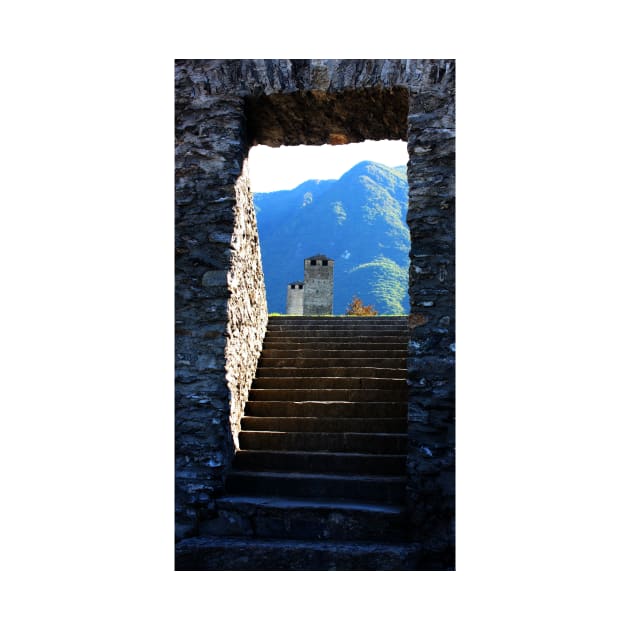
[370, 96]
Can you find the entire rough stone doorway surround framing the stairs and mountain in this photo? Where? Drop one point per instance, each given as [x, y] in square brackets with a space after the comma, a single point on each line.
[222, 108]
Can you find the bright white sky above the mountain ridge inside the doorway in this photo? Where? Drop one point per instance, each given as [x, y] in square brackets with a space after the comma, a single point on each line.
[284, 168]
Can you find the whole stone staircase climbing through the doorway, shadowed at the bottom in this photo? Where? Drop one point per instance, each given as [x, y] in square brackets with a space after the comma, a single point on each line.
[319, 480]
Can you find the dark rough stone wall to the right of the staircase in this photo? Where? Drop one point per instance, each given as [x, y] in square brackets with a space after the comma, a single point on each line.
[431, 362]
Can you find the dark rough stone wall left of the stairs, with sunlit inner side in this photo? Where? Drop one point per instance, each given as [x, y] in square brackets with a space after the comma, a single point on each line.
[210, 147]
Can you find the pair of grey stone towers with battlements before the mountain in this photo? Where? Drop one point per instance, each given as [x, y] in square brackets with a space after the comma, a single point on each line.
[313, 296]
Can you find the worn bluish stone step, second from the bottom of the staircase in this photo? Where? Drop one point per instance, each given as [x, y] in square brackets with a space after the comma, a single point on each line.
[306, 519]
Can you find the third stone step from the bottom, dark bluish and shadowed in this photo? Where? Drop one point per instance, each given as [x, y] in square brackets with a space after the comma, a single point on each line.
[374, 488]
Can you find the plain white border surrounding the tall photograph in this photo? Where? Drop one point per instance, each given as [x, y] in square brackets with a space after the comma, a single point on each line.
[86, 451]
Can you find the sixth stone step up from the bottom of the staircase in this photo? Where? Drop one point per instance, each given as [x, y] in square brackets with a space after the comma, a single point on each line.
[325, 425]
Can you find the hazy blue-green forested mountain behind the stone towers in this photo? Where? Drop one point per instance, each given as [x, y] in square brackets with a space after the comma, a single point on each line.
[358, 220]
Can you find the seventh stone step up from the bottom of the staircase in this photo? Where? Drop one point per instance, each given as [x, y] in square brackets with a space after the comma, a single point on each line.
[336, 409]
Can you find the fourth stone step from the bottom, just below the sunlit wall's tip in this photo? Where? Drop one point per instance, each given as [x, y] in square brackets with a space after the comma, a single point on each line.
[306, 461]
